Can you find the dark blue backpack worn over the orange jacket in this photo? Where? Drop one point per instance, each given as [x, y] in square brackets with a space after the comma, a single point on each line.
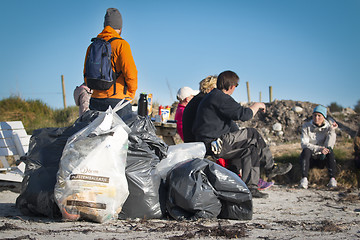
[98, 67]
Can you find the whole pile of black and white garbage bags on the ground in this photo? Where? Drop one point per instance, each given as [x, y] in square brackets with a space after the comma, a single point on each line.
[101, 168]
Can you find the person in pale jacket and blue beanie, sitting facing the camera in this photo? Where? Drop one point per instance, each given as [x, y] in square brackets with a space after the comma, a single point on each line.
[317, 141]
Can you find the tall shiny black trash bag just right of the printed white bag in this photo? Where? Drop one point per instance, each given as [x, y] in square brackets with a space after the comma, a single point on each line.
[144, 153]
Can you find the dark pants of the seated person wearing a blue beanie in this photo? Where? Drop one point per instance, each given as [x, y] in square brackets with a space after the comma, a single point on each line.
[307, 161]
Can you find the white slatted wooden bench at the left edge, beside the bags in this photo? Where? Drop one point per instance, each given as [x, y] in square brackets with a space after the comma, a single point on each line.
[14, 143]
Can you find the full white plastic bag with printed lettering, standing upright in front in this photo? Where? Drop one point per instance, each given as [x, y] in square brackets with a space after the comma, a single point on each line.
[91, 182]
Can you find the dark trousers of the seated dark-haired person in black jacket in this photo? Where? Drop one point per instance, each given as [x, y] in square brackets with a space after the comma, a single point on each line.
[245, 149]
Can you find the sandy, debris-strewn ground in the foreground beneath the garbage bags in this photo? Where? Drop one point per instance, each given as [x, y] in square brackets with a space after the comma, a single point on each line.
[288, 213]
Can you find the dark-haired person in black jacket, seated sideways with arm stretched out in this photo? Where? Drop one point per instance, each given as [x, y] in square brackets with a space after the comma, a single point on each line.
[243, 148]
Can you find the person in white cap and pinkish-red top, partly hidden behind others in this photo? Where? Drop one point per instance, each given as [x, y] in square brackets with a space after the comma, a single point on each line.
[184, 95]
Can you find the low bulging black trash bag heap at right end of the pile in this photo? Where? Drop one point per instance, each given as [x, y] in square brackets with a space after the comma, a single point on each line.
[201, 188]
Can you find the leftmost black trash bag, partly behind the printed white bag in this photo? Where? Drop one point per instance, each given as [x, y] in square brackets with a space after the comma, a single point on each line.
[42, 164]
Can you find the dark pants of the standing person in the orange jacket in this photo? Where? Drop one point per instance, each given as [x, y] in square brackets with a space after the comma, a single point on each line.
[102, 104]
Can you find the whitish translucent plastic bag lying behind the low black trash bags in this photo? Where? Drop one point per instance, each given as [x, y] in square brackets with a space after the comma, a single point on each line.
[180, 153]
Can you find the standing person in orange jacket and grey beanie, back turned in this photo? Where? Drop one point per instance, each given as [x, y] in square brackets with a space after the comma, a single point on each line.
[123, 63]
